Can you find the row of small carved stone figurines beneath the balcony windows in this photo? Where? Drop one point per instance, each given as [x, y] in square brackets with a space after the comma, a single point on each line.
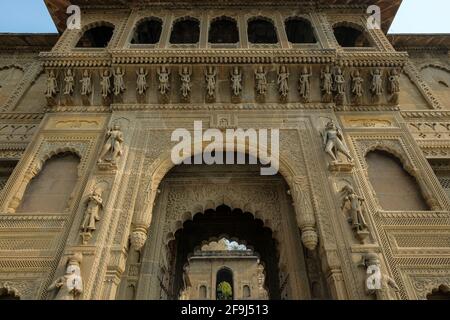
[333, 84]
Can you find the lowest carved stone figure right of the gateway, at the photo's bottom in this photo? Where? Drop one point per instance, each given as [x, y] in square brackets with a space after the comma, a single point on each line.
[378, 282]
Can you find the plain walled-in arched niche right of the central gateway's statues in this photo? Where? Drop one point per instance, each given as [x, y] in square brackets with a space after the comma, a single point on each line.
[395, 188]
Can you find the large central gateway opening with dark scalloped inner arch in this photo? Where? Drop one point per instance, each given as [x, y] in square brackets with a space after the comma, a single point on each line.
[198, 203]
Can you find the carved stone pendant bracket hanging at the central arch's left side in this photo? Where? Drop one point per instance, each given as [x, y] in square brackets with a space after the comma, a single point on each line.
[142, 219]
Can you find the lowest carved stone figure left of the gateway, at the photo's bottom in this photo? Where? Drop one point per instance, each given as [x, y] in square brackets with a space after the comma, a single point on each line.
[70, 285]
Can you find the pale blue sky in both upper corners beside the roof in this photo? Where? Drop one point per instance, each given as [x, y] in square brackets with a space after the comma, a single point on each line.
[414, 16]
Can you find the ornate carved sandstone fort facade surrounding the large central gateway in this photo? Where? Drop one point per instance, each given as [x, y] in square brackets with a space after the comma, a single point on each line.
[92, 206]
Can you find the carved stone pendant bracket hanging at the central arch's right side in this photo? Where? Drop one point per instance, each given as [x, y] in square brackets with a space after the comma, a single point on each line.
[304, 213]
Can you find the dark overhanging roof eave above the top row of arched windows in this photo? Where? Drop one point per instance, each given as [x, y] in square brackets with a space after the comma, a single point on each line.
[57, 8]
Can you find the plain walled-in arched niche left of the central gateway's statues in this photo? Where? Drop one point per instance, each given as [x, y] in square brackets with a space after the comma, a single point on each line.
[51, 189]
